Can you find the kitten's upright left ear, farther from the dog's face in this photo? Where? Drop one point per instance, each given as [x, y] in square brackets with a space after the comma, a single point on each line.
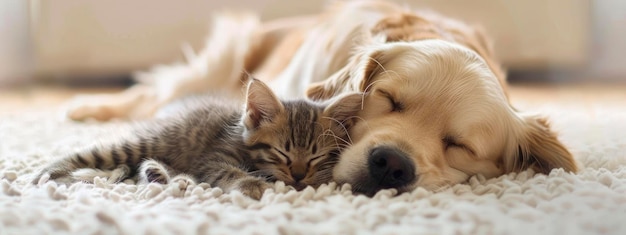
[261, 104]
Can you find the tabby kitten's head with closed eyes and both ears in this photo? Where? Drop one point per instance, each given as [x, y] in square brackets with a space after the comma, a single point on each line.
[297, 142]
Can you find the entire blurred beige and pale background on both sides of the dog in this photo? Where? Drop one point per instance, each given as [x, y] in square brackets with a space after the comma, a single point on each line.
[101, 42]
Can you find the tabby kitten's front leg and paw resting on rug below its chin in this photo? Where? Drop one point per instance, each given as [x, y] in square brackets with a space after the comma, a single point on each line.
[232, 178]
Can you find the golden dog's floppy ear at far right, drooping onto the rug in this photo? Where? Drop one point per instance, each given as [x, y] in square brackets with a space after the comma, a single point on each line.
[539, 149]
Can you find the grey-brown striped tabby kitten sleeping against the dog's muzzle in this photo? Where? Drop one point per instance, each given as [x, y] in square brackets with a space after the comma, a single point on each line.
[210, 140]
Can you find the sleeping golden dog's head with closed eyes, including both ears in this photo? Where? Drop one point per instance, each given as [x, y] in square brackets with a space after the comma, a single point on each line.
[434, 114]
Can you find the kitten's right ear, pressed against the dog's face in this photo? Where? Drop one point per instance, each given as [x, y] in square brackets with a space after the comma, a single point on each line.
[345, 107]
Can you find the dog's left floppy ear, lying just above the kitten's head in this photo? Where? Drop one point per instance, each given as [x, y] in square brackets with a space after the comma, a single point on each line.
[356, 76]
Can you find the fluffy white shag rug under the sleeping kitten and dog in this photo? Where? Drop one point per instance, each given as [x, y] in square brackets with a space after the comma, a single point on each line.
[590, 202]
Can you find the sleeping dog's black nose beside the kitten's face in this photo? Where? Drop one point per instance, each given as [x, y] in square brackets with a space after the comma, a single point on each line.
[390, 167]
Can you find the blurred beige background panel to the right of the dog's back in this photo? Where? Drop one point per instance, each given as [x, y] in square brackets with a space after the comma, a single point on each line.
[528, 34]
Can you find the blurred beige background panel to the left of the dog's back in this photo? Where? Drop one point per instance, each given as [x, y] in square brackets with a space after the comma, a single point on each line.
[82, 38]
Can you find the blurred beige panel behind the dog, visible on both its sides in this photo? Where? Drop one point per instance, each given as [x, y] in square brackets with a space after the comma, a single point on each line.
[81, 38]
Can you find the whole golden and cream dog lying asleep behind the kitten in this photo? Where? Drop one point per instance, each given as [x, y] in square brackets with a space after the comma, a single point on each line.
[436, 110]
